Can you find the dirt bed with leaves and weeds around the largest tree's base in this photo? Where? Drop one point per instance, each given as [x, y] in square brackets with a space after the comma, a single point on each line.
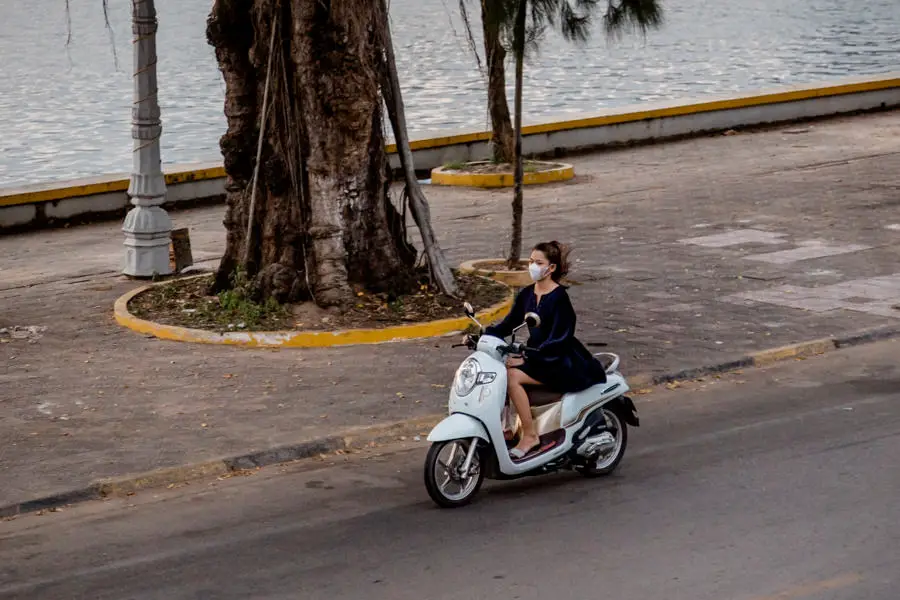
[185, 303]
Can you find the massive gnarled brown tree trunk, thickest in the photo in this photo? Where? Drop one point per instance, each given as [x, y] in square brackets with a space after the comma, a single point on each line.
[323, 222]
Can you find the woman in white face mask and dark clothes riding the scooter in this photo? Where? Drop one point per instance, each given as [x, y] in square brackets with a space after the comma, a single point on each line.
[559, 361]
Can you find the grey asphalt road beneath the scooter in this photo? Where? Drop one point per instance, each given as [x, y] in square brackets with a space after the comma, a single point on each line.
[774, 484]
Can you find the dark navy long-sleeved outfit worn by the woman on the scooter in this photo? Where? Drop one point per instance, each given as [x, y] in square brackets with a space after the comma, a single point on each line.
[560, 361]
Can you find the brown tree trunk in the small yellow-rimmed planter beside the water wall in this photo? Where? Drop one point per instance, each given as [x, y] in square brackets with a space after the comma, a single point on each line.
[502, 137]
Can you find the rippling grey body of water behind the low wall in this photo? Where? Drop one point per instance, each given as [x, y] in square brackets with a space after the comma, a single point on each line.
[65, 109]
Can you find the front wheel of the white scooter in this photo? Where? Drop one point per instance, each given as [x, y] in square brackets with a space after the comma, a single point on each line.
[446, 484]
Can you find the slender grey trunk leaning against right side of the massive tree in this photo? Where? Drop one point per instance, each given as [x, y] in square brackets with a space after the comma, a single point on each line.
[393, 97]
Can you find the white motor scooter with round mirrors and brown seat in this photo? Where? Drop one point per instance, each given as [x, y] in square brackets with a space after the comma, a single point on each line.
[586, 431]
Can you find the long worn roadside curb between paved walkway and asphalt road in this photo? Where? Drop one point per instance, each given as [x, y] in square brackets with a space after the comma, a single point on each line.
[361, 437]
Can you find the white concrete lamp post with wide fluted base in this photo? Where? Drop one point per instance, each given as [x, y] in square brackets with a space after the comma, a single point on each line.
[147, 226]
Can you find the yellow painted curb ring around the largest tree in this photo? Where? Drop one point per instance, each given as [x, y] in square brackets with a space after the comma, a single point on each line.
[298, 339]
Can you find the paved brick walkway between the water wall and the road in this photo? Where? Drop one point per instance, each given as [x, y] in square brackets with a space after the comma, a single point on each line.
[688, 253]
